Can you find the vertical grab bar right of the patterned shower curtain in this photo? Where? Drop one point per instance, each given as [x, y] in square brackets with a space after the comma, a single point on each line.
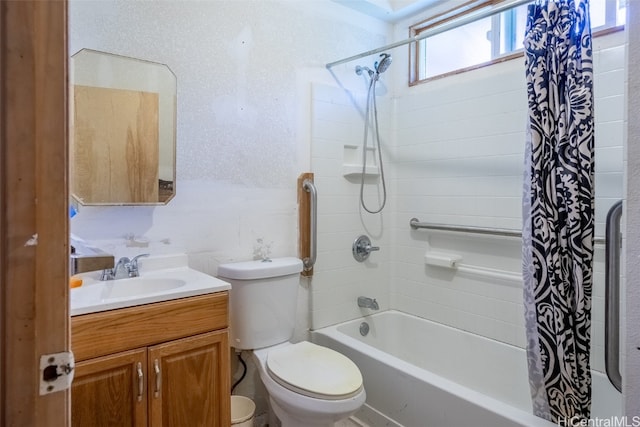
[612, 296]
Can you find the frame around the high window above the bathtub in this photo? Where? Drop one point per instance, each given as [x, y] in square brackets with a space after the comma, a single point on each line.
[470, 7]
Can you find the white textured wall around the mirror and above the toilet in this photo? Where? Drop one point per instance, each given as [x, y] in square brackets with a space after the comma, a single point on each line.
[244, 72]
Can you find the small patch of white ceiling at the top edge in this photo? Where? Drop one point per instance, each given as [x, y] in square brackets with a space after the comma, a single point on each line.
[389, 10]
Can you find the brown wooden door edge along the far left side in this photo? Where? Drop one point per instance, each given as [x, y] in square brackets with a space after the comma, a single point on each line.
[34, 317]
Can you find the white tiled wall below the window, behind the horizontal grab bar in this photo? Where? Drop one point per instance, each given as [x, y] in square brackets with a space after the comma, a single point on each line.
[459, 160]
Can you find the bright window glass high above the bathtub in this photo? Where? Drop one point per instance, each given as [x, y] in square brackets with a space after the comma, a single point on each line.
[486, 40]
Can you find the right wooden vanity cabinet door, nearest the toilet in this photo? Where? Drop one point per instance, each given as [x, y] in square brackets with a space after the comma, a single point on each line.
[189, 382]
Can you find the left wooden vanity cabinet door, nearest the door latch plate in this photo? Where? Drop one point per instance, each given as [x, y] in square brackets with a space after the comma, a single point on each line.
[110, 391]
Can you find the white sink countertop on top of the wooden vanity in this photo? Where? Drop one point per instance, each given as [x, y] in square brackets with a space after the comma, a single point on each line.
[153, 285]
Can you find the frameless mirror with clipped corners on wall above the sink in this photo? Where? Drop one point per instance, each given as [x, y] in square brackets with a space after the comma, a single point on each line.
[123, 130]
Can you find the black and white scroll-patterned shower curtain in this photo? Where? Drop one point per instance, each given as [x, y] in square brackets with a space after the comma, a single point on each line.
[558, 204]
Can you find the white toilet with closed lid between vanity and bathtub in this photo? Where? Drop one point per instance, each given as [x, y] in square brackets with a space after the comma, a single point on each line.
[308, 385]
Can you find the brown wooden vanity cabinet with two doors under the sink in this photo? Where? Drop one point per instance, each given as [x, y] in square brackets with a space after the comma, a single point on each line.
[177, 376]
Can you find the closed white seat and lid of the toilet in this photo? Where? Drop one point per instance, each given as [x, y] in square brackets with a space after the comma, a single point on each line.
[314, 371]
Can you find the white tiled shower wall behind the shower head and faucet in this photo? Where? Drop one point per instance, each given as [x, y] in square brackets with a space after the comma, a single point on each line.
[337, 125]
